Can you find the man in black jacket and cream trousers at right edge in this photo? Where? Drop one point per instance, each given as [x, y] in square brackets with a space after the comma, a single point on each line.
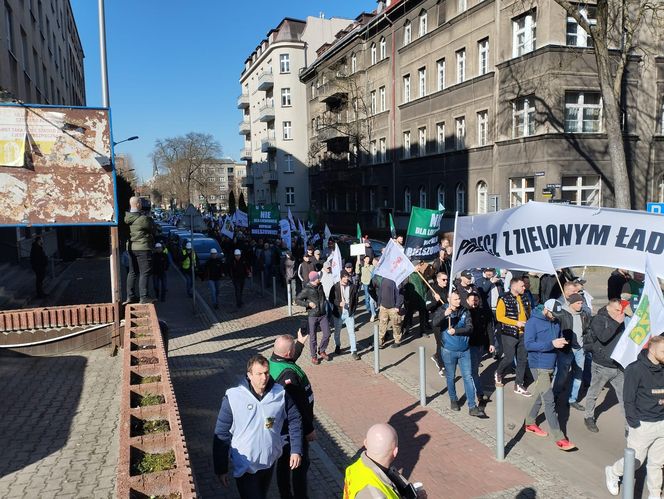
[644, 410]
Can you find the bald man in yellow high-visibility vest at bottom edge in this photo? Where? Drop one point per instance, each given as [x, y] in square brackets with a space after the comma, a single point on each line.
[371, 476]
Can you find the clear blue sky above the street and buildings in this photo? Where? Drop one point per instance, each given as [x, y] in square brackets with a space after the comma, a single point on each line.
[174, 66]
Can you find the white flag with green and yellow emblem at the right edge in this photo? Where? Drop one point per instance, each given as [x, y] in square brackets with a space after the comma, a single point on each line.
[648, 317]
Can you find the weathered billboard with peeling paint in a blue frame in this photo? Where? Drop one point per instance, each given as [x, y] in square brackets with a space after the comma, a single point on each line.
[55, 166]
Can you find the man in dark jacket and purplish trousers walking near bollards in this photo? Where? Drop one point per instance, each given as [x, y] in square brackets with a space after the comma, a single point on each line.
[312, 298]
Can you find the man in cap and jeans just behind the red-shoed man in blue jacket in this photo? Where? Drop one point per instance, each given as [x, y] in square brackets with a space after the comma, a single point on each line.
[574, 319]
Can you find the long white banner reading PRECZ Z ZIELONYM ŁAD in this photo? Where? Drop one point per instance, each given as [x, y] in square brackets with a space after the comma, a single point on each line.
[543, 237]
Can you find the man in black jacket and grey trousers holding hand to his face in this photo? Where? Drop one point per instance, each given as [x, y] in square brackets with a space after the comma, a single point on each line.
[605, 331]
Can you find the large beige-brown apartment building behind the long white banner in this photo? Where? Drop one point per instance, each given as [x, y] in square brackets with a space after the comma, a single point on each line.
[477, 105]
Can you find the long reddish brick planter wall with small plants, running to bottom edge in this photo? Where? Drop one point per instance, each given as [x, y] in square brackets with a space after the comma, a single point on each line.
[145, 375]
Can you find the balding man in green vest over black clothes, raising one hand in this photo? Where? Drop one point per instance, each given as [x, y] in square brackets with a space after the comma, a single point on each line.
[287, 373]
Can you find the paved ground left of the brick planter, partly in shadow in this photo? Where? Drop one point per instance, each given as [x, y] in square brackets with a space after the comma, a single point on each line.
[59, 431]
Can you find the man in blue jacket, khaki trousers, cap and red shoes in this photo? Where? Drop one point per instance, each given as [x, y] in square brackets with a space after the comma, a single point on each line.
[542, 339]
